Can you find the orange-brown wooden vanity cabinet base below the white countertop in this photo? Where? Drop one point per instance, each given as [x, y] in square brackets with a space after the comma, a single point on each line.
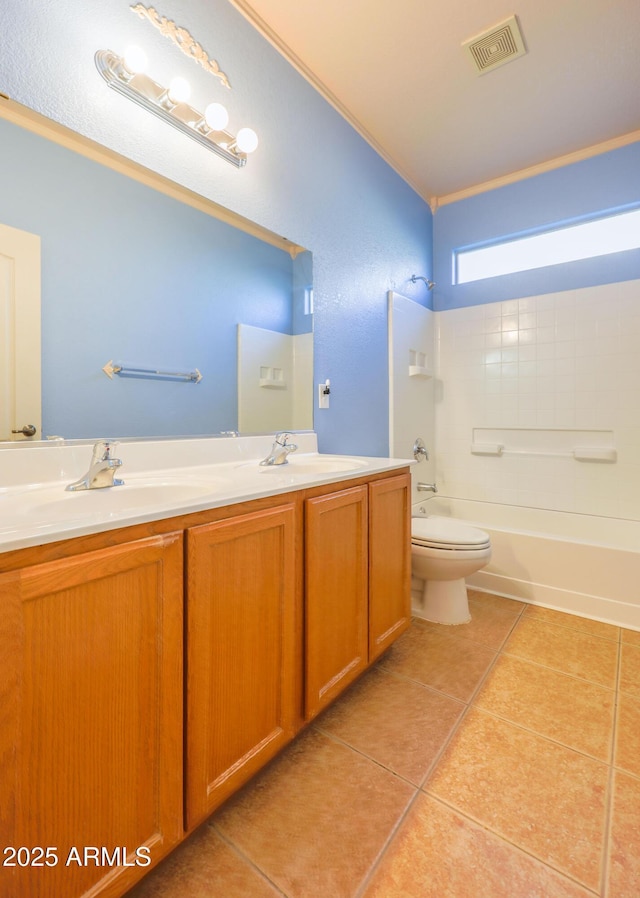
[92, 641]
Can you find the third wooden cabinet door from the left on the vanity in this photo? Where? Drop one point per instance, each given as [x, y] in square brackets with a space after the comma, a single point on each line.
[336, 594]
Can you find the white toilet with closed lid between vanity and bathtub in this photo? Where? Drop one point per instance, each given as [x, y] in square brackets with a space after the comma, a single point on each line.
[443, 552]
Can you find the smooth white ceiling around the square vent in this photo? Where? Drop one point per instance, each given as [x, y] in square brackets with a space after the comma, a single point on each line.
[397, 71]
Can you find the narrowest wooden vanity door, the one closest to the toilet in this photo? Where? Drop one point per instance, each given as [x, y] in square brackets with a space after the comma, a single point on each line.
[389, 561]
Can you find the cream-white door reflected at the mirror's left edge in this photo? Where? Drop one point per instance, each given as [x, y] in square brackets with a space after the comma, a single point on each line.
[20, 386]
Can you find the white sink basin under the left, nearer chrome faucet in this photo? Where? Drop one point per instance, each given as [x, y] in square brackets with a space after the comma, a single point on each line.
[54, 504]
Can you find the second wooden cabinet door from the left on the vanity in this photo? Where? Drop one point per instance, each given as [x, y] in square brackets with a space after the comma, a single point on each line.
[242, 613]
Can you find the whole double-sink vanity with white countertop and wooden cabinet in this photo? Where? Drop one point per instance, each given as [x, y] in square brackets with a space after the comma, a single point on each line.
[163, 639]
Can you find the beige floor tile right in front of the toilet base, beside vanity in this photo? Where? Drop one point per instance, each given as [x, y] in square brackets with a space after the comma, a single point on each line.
[436, 658]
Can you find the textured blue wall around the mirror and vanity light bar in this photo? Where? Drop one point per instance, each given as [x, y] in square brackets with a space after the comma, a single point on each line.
[312, 179]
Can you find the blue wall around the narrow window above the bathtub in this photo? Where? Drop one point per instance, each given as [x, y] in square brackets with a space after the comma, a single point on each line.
[608, 181]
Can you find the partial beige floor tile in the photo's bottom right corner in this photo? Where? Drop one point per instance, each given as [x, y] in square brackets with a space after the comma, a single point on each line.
[624, 852]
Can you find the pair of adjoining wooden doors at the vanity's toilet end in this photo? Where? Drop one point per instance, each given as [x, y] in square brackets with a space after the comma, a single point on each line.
[358, 582]
